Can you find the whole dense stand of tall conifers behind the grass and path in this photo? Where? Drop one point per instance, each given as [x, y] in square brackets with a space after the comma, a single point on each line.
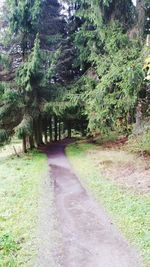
[76, 64]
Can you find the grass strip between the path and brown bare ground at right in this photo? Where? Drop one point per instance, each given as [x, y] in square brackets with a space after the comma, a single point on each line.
[128, 210]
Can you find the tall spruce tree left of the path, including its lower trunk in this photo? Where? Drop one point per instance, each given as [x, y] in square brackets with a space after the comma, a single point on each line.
[35, 68]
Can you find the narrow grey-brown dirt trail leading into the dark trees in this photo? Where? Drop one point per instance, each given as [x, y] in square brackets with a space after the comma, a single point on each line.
[89, 237]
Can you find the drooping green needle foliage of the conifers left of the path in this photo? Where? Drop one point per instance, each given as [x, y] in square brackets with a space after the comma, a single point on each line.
[34, 66]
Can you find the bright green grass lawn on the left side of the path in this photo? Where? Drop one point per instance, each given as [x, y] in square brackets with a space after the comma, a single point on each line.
[20, 180]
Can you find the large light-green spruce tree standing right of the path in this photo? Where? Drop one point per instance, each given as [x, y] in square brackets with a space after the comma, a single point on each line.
[114, 62]
